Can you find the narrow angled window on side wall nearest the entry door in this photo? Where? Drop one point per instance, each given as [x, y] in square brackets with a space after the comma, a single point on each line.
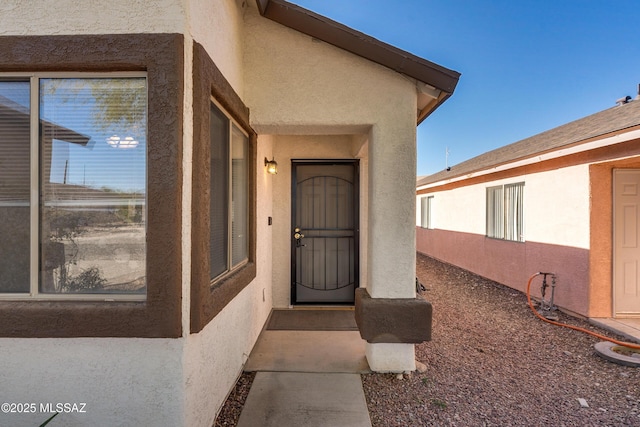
[228, 194]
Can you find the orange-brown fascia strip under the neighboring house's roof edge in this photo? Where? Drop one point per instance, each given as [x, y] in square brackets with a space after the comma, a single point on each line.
[625, 149]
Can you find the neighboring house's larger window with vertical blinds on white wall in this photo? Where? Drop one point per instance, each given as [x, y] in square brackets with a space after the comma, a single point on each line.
[505, 212]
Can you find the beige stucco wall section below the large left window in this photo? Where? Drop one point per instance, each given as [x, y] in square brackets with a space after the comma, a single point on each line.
[123, 381]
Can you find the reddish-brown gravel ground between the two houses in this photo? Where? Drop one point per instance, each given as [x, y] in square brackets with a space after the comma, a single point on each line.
[491, 362]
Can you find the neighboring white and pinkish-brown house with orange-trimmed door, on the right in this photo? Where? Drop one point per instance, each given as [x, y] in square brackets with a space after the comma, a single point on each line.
[564, 201]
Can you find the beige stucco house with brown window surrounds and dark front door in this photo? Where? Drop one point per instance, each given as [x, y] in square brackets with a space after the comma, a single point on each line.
[145, 261]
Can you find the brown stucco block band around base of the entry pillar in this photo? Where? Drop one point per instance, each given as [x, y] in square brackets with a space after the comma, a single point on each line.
[392, 320]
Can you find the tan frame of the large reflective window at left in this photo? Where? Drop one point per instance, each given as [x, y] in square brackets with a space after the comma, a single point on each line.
[36, 193]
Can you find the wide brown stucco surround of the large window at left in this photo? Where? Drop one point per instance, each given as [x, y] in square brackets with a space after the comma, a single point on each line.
[161, 56]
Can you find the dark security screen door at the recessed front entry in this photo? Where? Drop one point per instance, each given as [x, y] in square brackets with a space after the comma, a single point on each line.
[324, 231]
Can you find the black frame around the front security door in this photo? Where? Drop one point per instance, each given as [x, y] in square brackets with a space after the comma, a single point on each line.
[356, 215]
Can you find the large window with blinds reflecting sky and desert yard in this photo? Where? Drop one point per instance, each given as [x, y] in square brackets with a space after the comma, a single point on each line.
[73, 186]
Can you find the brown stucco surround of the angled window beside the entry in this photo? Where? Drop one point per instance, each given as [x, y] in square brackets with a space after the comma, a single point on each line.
[207, 298]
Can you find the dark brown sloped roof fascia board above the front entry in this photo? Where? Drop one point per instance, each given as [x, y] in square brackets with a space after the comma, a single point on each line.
[343, 37]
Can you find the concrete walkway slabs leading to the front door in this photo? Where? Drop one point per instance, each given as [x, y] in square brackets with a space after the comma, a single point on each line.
[307, 378]
